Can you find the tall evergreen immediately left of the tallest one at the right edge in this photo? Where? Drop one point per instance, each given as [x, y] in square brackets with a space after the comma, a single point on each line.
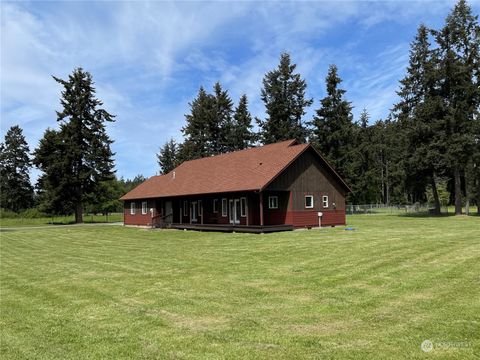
[420, 111]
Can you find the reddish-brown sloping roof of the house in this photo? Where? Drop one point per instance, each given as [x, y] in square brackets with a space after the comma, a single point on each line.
[244, 170]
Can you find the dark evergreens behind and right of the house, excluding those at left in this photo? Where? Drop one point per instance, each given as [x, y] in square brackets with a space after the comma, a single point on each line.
[426, 149]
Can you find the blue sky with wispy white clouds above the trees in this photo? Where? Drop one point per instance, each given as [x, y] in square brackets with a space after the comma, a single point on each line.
[148, 59]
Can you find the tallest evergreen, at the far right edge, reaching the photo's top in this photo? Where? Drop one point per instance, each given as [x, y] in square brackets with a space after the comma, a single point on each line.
[458, 50]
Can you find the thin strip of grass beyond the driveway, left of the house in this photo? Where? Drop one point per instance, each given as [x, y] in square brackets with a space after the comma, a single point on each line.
[58, 220]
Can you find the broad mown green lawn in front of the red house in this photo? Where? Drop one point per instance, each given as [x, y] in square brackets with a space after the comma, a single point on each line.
[375, 293]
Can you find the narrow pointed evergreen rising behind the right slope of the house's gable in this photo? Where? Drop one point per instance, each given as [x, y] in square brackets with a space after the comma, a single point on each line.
[333, 128]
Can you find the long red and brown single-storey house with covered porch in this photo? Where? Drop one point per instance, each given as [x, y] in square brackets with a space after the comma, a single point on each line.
[269, 188]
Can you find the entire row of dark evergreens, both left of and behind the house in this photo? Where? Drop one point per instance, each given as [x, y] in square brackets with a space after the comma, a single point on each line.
[426, 150]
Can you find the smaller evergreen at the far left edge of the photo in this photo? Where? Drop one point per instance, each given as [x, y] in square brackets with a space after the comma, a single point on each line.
[16, 192]
